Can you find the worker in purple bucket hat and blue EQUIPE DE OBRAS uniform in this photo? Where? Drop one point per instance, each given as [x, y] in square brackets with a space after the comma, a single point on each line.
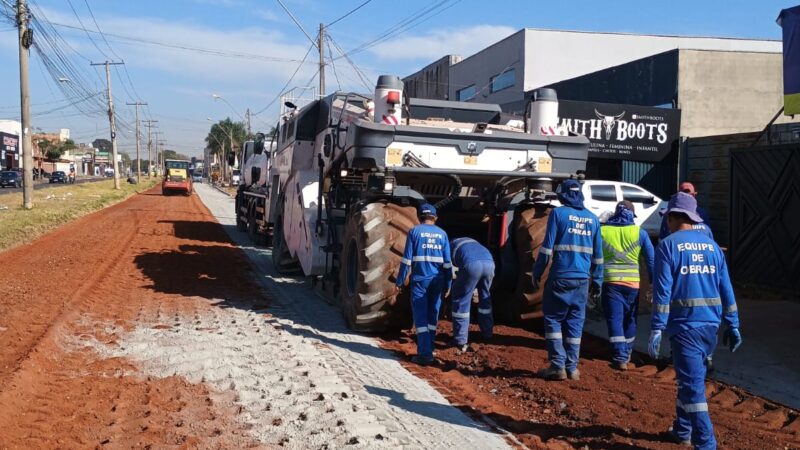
[692, 294]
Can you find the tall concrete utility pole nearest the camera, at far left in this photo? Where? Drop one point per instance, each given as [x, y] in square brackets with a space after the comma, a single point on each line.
[25, 42]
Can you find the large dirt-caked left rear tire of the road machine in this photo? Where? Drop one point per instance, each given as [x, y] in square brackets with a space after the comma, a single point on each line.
[373, 245]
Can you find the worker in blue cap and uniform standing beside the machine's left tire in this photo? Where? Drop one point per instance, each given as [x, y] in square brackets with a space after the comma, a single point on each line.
[427, 257]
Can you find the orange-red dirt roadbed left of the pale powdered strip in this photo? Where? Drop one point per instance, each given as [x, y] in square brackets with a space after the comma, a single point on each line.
[139, 261]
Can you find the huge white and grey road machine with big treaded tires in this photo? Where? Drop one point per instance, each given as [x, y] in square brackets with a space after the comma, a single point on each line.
[336, 188]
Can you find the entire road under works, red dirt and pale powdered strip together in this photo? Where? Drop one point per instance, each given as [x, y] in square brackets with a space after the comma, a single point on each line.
[154, 324]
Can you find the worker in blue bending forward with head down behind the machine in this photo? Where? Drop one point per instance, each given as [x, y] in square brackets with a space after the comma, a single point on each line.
[474, 268]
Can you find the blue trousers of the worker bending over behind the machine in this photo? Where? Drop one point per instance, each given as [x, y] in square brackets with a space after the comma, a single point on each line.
[474, 274]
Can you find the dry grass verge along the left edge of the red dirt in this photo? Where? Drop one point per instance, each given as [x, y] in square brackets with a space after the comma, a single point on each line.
[56, 206]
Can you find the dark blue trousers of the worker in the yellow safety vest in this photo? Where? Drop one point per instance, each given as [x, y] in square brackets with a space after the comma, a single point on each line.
[620, 306]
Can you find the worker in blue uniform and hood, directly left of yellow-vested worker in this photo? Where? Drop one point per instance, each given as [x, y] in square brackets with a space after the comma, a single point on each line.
[573, 241]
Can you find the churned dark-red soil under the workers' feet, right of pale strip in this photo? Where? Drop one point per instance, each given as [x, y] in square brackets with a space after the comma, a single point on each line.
[606, 409]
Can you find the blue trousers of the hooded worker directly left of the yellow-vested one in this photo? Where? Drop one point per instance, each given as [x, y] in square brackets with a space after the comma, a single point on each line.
[564, 307]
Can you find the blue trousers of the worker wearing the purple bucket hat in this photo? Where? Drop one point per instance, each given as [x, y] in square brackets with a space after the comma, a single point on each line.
[689, 351]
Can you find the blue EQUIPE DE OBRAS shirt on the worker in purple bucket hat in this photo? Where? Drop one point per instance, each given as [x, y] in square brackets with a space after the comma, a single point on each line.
[691, 287]
